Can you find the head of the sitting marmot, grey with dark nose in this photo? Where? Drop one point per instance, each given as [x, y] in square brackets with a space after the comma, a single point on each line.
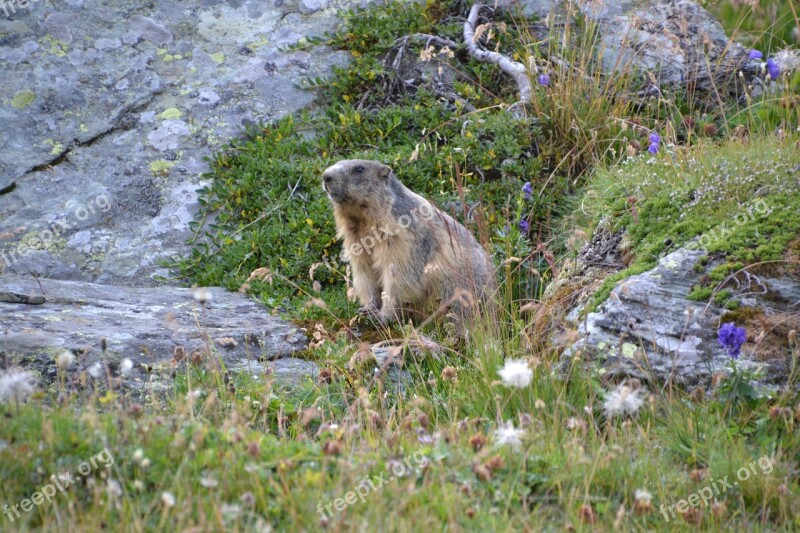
[356, 182]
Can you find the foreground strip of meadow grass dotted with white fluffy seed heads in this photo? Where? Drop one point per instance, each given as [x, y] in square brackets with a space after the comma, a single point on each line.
[253, 452]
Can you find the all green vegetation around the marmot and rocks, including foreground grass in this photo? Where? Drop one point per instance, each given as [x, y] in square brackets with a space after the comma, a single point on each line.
[244, 452]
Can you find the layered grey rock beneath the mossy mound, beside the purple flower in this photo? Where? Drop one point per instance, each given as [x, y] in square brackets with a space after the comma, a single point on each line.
[649, 328]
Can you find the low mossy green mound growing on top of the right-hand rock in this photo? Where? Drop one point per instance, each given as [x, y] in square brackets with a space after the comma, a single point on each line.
[738, 201]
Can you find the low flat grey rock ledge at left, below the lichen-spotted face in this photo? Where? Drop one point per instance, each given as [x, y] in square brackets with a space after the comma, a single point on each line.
[40, 319]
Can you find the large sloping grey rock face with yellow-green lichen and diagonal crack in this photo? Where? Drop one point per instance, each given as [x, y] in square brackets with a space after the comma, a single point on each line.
[109, 109]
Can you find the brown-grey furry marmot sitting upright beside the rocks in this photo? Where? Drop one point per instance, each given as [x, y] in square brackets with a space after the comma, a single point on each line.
[408, 258]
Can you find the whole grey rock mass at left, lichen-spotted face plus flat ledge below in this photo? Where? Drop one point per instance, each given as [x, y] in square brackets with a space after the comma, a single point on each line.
[108, 111]
